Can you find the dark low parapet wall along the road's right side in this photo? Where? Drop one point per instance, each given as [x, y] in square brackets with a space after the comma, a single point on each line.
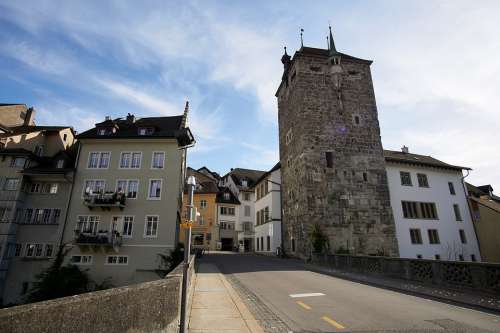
[483, 277]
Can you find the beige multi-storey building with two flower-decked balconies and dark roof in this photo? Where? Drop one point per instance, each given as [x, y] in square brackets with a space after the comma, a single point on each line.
[126, 202]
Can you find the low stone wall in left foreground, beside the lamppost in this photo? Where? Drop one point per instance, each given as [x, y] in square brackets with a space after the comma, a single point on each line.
[147, 307]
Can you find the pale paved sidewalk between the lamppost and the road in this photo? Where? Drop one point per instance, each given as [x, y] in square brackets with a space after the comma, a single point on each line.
[216, 307]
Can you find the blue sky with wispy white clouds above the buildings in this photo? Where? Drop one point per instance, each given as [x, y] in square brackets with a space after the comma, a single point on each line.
[436, 69]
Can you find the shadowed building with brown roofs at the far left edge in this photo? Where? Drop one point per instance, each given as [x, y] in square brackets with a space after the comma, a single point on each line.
[36, 172]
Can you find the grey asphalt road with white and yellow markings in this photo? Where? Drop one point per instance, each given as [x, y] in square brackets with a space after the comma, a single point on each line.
[311, 302]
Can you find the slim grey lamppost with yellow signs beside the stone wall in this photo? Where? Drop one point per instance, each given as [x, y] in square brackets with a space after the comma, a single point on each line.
[191, 182]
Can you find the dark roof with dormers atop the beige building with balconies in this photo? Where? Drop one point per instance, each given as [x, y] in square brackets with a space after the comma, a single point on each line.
[164, 127]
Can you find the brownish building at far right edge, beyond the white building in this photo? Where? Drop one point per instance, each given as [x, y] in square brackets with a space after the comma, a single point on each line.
[485, 208]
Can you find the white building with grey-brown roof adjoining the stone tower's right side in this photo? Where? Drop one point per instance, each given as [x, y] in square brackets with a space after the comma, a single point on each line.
[430, 208]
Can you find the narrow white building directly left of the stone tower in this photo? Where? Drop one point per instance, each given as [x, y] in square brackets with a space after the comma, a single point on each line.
[268, 211]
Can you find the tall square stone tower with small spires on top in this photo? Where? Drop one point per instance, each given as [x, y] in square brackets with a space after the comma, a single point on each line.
[332, 163]
